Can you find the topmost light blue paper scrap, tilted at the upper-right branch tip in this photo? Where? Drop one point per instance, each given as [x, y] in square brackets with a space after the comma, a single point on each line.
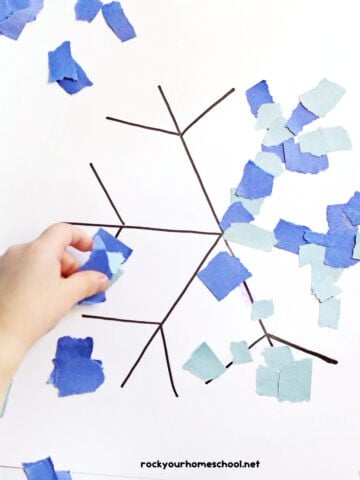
[323, 98]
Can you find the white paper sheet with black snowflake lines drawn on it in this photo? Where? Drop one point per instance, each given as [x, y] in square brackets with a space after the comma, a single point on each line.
[196, 51]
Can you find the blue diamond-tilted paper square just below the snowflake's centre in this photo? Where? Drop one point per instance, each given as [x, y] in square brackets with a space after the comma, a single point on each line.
[223, 274]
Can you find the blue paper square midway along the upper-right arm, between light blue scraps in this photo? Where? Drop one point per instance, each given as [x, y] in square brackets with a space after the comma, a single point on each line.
[255, 182]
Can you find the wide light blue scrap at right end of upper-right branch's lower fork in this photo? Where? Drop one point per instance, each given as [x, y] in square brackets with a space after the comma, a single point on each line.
[325, 140]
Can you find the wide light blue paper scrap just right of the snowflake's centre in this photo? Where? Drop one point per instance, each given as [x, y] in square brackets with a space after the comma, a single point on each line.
[251, 236]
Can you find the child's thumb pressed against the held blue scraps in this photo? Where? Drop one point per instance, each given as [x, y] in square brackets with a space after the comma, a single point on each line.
[84, 284]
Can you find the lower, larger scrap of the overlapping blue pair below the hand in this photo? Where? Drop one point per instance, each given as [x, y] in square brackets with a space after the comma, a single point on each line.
[76, 376]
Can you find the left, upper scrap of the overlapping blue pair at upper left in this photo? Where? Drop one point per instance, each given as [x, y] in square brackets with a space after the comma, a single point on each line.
[61, 63]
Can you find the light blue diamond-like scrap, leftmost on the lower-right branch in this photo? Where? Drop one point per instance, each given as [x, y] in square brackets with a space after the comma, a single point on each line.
[204, 364]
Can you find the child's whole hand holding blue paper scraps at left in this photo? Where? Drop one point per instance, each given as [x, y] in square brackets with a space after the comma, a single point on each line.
[38, 285]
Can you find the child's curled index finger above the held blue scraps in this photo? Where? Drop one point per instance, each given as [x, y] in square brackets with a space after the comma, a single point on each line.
[62, 235]
